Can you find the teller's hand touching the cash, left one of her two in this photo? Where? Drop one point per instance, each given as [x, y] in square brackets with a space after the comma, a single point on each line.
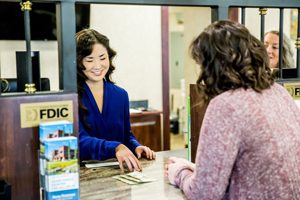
[123, 154]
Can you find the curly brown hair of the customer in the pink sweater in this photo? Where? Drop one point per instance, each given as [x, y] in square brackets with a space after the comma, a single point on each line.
[230, 58]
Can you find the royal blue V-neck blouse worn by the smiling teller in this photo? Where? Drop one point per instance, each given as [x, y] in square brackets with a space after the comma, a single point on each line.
[108, 128]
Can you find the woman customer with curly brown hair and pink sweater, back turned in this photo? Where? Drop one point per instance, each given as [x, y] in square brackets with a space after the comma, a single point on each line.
[249, 143]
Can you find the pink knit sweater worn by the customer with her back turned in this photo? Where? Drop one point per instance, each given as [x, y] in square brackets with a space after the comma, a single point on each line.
[249, 148]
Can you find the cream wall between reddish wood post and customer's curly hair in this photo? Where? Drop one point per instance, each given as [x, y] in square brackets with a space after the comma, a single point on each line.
[193, 24]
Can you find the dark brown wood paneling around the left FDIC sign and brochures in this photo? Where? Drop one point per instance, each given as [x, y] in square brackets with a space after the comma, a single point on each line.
[19, 146]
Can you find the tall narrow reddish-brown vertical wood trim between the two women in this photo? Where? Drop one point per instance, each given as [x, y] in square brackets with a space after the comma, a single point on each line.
[165, 76]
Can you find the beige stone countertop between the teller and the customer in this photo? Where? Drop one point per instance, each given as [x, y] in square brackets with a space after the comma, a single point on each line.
[98, 184]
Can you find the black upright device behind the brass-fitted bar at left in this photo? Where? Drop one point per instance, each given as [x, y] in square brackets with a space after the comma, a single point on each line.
[23, 71]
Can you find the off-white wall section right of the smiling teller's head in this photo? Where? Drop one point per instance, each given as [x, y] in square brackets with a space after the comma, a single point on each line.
[135, 33]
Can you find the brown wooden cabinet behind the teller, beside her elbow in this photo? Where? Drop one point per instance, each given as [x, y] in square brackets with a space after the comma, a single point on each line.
[146, 127]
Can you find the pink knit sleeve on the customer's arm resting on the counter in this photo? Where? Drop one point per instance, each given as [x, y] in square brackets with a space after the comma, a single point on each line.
[216, 154]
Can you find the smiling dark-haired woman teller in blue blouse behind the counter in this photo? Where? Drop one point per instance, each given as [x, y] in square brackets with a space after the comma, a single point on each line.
[104, 119]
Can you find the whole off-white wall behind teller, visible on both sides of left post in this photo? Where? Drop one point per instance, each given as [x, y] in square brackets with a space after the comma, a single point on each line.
[135, 33]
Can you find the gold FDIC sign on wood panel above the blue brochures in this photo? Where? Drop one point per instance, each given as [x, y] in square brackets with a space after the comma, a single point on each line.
[32, 114]
